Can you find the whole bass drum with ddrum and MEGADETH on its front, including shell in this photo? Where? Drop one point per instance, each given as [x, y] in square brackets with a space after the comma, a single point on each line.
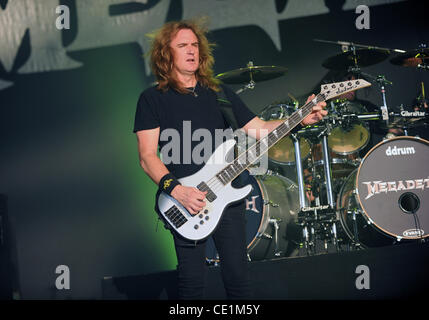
[386, 200]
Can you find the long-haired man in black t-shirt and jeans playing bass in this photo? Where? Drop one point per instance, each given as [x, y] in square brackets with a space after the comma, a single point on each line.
[185, 100]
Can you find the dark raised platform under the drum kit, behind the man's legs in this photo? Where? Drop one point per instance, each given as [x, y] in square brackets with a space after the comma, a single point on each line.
[393, 272]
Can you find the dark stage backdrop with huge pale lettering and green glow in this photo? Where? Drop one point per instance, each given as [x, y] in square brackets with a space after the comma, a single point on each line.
[68, 157]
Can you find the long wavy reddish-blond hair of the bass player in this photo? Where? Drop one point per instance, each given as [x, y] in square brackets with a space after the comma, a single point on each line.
[162, 60]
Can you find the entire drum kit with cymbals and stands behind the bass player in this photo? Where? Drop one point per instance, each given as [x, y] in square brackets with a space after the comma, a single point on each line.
[323, 188]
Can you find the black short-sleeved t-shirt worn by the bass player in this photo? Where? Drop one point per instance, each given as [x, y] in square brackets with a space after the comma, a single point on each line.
[179, 116]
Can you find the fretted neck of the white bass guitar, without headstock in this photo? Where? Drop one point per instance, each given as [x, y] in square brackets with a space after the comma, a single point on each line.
[251, 155]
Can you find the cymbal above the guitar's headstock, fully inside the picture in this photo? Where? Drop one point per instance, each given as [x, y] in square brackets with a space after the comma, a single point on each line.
[363, 58]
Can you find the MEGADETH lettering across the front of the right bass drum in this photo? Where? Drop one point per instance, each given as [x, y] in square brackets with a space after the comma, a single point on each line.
[377, 187]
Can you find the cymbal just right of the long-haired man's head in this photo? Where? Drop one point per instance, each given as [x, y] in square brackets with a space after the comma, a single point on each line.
[255, 73]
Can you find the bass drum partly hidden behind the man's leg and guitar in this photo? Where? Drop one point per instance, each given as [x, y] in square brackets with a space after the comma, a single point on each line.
[271, 220]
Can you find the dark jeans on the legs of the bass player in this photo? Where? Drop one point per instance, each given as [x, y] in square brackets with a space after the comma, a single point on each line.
[230, 242]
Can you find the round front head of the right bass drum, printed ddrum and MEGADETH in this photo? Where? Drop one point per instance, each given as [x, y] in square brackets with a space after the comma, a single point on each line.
[393, 187]
